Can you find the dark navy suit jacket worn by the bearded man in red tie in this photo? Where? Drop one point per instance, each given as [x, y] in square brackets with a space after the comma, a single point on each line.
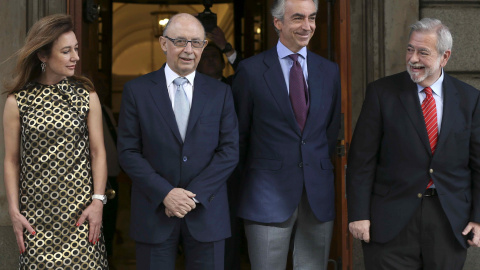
[390, 161]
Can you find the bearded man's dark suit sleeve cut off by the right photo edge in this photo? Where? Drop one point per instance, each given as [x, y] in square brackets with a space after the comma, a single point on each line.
[475, 163]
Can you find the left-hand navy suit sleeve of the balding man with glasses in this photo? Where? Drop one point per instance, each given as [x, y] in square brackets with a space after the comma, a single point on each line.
[129, 144]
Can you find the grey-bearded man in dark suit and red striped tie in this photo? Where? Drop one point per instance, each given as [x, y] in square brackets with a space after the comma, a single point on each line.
[413, 178]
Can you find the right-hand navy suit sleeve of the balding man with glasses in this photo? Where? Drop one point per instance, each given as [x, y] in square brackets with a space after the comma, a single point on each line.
[225, 158]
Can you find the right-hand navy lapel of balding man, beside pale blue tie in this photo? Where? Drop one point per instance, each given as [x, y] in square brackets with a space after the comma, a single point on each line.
[198, 102]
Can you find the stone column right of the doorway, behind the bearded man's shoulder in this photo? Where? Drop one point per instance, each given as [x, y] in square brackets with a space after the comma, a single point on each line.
[379, 34]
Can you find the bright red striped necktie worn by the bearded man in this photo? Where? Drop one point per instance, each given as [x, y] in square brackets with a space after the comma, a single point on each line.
[430, 114]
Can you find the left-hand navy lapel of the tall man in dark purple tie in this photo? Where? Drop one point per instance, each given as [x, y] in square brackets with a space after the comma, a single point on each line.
[276, 84]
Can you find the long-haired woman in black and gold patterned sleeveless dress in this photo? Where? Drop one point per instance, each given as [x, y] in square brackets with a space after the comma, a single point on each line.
[55, 159]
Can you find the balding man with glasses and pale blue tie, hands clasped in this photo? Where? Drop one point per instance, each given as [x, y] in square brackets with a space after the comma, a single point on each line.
[178, 142]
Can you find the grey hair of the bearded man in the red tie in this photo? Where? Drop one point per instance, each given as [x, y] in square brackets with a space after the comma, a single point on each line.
[444, 37]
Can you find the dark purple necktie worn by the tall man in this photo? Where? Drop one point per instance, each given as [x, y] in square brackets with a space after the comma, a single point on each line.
[298, 92]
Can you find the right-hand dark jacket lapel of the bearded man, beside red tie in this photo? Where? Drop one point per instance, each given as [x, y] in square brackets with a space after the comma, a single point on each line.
[450, 104]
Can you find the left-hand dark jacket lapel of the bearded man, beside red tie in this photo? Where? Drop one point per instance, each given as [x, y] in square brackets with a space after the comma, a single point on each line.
[408, 94]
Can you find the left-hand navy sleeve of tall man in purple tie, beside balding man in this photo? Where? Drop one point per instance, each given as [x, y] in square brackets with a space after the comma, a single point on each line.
[244, 108]
